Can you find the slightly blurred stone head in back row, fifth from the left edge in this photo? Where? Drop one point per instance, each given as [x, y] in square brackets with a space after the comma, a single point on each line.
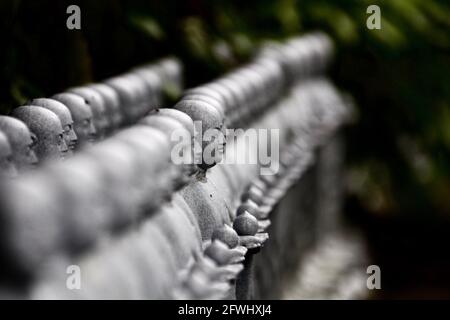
[81, 115]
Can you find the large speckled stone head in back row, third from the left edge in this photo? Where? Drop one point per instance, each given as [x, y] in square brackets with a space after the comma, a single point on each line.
[47, 128]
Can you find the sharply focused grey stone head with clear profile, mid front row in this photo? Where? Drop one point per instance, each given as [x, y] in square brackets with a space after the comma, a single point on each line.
[213, 138]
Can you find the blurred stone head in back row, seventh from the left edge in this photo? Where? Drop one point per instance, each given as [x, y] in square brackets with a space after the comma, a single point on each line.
[112, 105]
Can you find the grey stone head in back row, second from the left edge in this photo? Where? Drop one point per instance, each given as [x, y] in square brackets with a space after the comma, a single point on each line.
[22, 142]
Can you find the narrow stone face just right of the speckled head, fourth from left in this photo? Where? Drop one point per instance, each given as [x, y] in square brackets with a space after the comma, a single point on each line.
[64, 116]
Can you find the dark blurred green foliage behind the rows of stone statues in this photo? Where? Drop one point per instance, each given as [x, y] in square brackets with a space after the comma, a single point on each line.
[399, 160]
